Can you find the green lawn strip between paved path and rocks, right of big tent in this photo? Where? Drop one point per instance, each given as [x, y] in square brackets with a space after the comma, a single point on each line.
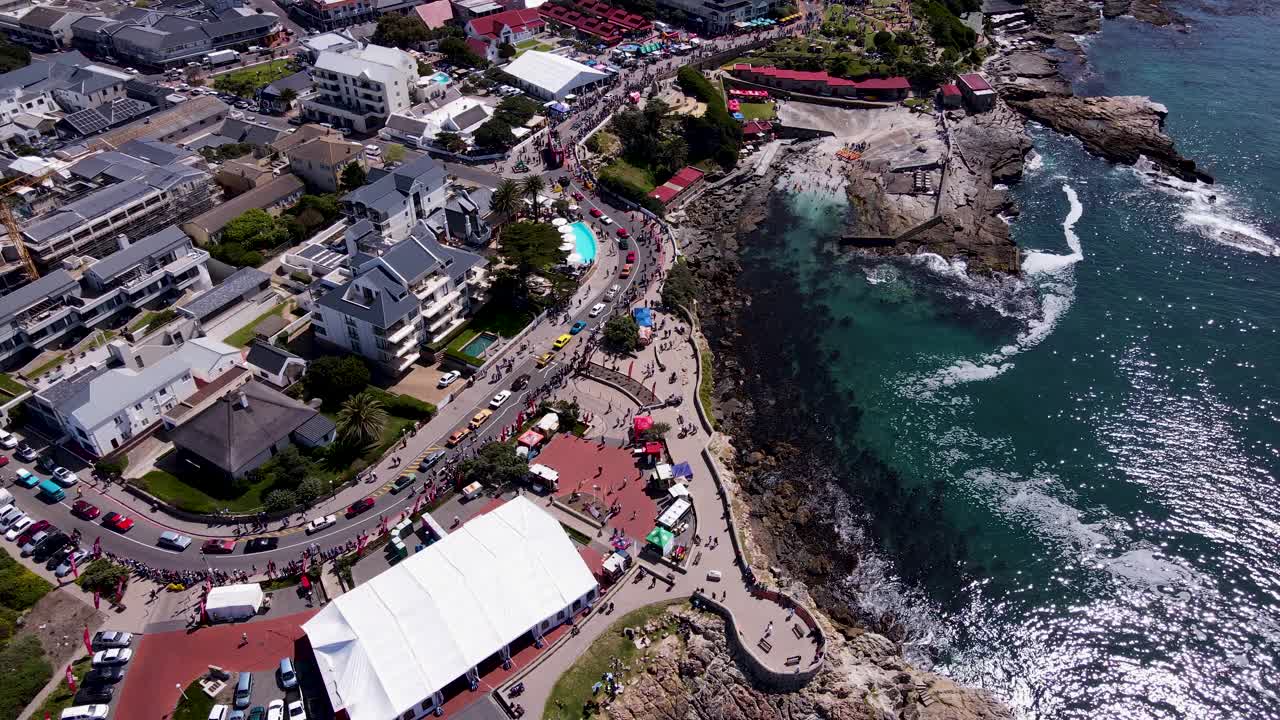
[574, 689]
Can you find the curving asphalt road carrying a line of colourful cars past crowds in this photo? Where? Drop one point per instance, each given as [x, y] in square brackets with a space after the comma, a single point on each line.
[140, 543]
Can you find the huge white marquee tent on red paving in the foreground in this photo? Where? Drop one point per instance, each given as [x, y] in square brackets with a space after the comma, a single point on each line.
[388, 649]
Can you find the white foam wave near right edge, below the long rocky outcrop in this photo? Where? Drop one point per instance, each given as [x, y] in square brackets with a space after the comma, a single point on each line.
[1212, 212]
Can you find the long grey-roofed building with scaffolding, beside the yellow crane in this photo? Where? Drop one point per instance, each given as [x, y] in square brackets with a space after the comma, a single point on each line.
[134, 192]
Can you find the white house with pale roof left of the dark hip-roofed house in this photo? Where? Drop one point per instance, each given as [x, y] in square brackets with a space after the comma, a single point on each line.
[103, 407]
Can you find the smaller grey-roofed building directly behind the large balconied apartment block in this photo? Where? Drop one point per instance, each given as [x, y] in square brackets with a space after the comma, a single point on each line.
[394, 202]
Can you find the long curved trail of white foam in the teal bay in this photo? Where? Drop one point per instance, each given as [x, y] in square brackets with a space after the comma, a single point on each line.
[1057, 289]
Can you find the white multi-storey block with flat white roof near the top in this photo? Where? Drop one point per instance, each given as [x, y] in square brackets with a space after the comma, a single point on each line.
[360, 88]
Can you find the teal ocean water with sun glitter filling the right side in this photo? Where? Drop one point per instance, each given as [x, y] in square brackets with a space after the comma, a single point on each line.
[1069, 482]
